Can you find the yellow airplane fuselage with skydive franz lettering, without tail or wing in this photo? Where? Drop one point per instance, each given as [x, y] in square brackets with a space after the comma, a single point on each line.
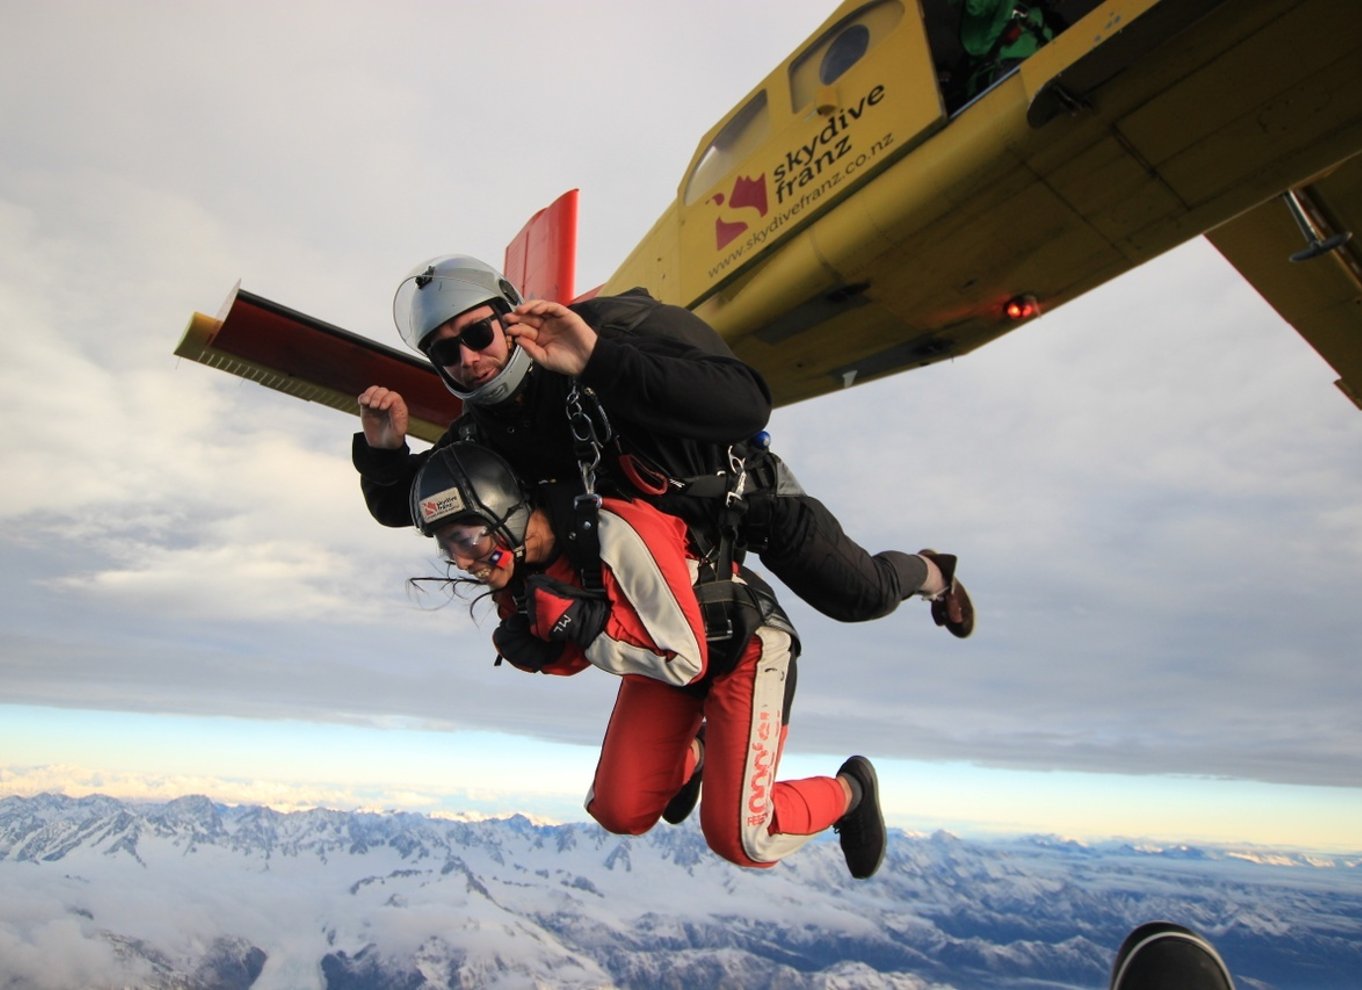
[870, 213]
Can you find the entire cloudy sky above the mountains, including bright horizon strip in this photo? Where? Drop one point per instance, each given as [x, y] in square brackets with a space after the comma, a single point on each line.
[1153, 491]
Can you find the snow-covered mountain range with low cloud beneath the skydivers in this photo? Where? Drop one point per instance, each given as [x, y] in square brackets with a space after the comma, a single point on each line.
[195, 897]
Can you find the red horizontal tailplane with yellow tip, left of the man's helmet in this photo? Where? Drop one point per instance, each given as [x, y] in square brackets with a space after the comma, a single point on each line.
[298, 355]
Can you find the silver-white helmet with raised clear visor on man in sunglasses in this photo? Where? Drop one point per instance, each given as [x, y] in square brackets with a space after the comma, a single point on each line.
[438, 291]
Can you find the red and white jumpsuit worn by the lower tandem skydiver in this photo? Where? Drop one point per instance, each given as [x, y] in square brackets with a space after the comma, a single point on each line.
[654, 638]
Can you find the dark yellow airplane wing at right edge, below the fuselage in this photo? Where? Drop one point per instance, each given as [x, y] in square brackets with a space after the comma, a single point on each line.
[1318, 292]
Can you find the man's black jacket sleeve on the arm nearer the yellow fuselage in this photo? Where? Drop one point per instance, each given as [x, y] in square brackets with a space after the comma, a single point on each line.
[674, 374]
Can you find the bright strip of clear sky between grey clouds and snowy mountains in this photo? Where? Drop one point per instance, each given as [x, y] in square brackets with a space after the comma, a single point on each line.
[447, 773]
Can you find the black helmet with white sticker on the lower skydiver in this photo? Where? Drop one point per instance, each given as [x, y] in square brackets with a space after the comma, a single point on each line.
[468, 481]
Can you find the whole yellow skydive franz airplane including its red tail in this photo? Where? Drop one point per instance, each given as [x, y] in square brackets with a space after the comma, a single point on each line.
[863, 194]
